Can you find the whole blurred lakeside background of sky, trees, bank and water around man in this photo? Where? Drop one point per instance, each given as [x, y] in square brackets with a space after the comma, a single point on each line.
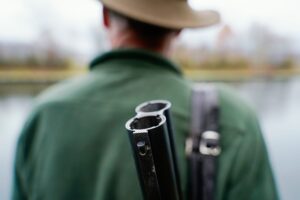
[255, 49]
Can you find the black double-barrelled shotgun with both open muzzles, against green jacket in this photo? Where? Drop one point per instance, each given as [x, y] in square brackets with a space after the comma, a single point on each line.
[152, 141]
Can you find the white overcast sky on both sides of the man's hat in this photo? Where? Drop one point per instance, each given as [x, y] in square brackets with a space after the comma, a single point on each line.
[22, 20]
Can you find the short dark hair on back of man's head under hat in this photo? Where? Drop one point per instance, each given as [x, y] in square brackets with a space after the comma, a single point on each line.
[148, 33]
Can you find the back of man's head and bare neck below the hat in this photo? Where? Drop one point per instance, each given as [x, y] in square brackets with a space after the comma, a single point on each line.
[127, 32]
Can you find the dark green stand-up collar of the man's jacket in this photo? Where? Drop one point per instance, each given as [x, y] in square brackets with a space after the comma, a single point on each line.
[135, 54]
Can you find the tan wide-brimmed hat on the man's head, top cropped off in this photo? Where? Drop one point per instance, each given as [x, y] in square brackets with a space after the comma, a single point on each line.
[174, 14]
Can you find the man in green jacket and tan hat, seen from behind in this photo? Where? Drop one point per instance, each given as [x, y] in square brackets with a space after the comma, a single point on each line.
[74, 144]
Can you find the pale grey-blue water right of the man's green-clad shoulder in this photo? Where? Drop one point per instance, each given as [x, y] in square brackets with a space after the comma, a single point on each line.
[278, 106]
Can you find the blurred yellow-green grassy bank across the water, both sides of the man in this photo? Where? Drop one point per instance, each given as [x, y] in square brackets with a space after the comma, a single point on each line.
[46, 75]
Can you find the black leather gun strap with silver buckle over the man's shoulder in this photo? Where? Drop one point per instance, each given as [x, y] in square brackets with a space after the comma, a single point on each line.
[202, 146]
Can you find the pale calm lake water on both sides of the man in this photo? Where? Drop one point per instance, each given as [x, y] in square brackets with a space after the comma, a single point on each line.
[277, 104]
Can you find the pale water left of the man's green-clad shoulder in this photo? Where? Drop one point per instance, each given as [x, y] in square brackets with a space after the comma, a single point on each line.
[13, 110]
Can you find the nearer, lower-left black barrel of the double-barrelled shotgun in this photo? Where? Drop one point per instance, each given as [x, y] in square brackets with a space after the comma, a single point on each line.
[150, 143]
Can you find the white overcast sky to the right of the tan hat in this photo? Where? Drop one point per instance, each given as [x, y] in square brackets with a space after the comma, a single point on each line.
[282, 15]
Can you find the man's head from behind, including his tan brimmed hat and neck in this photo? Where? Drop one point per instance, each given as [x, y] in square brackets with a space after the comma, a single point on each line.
[151, 24]
